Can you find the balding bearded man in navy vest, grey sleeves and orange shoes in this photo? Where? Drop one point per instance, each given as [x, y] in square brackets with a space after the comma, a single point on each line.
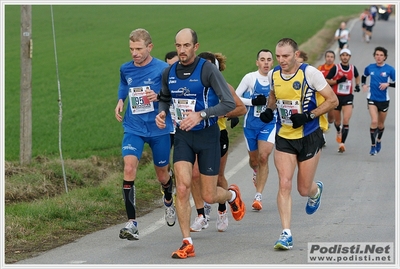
[200, 95]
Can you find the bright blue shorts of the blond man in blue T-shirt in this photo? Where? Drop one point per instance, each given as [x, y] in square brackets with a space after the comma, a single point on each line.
[160, 147]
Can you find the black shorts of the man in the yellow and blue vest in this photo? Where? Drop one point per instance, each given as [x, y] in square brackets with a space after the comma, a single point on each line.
[304, 148]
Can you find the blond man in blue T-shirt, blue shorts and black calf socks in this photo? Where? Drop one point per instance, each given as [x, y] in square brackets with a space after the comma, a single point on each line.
[140, 82]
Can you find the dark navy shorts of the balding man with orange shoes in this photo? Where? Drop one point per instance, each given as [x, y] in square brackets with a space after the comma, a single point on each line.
[203, 143]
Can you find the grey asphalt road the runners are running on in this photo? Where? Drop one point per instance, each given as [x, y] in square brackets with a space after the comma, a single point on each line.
[358, 203]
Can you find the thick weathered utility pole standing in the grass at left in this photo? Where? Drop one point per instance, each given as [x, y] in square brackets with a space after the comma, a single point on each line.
[25, 154]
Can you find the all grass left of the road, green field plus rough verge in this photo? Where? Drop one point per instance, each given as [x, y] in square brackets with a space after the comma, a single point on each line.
[92, 42]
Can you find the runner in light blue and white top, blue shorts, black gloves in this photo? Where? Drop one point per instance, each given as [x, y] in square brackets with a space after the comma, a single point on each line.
[253, 90]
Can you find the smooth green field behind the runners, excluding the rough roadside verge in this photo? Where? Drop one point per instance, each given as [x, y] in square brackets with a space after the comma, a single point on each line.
[92, 43]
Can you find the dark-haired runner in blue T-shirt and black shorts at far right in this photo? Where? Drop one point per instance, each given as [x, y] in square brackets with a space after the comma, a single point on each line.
[381, 76]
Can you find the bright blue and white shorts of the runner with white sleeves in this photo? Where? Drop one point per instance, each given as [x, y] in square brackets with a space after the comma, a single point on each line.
[253, 135]
